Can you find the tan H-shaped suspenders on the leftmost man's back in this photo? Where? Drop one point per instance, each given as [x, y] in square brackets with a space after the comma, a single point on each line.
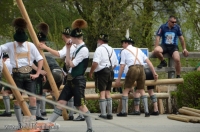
[22, 54]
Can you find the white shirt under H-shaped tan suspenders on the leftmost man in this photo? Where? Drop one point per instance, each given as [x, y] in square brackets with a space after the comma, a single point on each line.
[9, 48]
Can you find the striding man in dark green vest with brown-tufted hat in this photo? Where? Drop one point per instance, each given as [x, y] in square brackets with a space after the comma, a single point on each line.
[76, 81]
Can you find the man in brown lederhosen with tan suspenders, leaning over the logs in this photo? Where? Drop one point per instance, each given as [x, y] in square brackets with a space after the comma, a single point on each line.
[134, 58]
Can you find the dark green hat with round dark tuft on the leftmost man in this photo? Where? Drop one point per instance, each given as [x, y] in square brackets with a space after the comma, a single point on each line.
[20, 26]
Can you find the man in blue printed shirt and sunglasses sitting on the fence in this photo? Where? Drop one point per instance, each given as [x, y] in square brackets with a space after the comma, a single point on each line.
[170, 32]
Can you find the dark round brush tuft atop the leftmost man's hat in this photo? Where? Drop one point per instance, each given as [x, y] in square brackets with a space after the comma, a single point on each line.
[19, 24]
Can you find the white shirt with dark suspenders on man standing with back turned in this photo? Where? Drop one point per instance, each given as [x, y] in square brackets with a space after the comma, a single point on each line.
[101, 56]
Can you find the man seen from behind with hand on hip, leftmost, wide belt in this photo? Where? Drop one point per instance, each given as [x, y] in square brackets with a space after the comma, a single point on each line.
[22, 54]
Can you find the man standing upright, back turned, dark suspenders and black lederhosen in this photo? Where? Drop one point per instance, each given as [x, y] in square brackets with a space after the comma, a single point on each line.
[104, 61]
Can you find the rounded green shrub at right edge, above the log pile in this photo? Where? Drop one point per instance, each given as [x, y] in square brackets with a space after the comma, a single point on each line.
[188, 93]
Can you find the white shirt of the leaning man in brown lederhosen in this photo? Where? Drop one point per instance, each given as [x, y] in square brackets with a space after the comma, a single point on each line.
[128, 58]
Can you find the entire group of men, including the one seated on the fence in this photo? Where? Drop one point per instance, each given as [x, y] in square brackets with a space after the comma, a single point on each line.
[25, 64]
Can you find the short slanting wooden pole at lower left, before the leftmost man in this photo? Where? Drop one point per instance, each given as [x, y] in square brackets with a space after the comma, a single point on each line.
[16, 93]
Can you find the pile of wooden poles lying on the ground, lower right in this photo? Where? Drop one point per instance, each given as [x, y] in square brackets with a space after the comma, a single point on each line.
[186, 114]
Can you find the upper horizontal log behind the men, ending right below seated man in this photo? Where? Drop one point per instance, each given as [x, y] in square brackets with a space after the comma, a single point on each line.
[90, 85]
